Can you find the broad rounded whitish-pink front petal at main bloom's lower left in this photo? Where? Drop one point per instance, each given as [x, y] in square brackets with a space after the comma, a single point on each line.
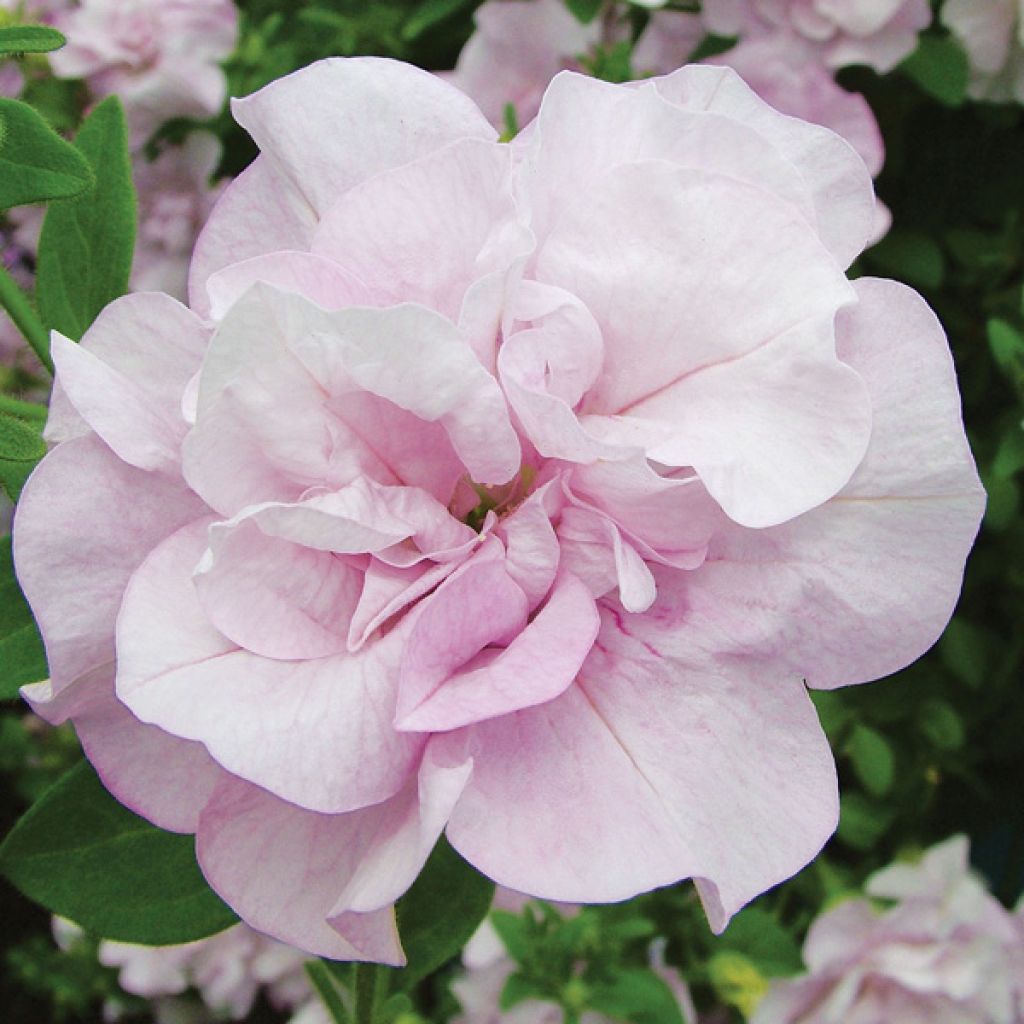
[316, 733]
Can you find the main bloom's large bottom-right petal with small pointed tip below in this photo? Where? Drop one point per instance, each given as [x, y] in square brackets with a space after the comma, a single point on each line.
[653, 769]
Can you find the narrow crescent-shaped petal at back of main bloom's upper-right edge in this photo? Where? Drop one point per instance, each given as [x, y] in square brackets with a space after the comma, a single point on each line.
[835, 178]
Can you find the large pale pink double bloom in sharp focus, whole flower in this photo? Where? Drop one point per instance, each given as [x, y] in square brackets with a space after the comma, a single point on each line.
[515, 492]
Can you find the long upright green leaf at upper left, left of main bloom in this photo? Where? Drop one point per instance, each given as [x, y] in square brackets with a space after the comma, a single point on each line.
[87, 246]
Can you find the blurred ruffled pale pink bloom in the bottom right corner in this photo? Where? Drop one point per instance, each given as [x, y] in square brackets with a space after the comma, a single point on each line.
[946, 952]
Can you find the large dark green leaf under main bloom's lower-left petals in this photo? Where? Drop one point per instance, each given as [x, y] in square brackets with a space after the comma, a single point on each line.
[81, 855]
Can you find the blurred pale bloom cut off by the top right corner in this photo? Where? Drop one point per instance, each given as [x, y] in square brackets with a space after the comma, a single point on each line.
[993, 34]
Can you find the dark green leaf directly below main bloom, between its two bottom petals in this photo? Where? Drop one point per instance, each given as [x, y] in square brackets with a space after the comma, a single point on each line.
[440, 913]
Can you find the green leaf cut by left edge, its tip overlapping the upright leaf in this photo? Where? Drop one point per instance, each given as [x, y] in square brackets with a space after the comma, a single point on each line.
[36, 164]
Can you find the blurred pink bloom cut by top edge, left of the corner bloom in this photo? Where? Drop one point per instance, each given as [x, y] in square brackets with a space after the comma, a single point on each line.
[877, 33]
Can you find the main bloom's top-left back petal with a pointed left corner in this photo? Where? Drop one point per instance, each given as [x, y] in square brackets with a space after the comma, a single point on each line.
[338, 122]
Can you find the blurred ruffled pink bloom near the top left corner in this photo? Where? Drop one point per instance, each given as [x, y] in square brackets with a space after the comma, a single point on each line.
[160, 57]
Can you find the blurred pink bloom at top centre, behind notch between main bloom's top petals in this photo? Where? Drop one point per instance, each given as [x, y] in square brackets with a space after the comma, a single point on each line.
[518, 49]
